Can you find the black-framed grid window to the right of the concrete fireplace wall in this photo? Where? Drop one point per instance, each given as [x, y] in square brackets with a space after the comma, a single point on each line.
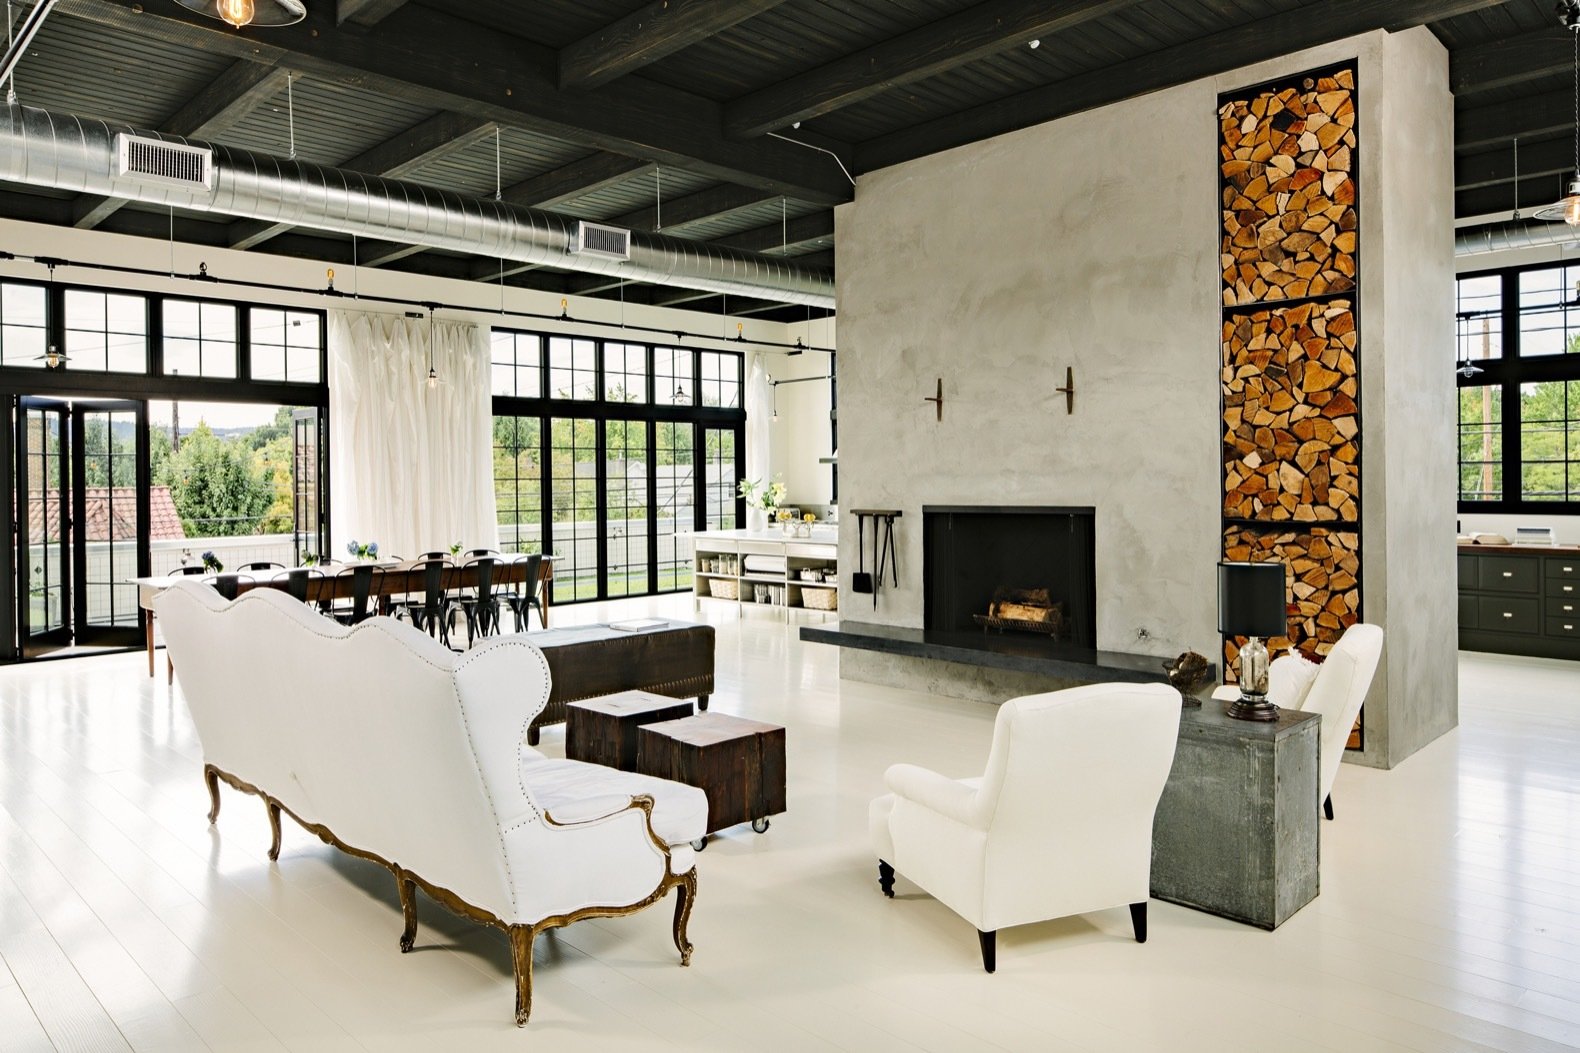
[1508, 374]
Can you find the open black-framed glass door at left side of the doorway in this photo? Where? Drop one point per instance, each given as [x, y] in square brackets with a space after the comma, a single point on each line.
[81, 524]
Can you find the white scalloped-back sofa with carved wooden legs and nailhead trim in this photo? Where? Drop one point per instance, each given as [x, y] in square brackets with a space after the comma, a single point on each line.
[391, 747]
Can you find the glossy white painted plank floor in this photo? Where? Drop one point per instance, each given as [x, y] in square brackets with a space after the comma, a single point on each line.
[1450, 916]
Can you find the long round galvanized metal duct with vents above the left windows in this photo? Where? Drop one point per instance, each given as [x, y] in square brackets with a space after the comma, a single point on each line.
[78, 154]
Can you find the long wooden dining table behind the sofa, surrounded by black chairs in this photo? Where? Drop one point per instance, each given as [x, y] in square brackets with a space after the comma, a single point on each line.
[329, 583]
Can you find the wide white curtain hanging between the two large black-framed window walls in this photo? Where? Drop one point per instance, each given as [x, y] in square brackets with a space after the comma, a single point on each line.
[412, 467]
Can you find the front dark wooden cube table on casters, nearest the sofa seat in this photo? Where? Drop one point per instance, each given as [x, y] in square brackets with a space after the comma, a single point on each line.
[737, 763]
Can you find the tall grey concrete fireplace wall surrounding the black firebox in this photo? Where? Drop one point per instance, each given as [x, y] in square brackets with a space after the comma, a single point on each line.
[1093, 243]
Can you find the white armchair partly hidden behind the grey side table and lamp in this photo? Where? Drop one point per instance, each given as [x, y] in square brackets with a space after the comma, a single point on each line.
[1337, 689]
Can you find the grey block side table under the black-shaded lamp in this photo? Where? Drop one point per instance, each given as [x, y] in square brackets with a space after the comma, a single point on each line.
[1236, 831]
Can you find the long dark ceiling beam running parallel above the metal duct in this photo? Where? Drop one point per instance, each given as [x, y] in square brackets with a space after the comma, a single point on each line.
[429, 58]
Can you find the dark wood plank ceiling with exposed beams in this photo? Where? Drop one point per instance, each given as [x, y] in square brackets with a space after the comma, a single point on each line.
[669, 115]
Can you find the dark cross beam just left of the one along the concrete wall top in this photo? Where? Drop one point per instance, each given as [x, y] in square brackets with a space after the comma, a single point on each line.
[924, 53]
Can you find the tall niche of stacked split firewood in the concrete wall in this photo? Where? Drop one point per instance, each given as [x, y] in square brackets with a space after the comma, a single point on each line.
[1292, 347]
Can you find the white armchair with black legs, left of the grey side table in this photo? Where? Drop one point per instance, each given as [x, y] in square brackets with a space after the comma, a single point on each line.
[1061, 821]
